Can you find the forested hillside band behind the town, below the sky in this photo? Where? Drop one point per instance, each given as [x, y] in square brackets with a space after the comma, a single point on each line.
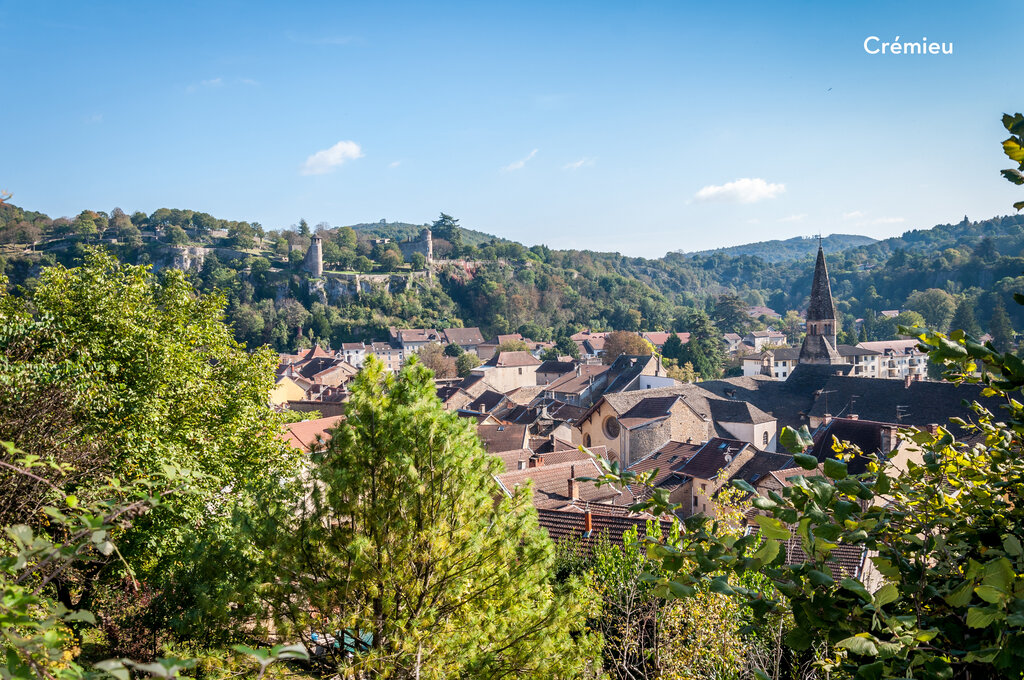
[540, 292]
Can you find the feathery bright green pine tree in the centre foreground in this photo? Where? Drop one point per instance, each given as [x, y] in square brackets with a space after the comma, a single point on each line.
[407, 543]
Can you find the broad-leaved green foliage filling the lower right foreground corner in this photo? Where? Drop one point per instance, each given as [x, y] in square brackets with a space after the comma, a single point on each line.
[945, 535]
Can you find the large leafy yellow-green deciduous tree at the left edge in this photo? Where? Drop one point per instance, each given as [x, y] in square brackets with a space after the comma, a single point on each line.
[140, 373]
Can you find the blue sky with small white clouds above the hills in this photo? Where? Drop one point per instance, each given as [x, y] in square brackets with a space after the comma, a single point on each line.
[639, 127]
